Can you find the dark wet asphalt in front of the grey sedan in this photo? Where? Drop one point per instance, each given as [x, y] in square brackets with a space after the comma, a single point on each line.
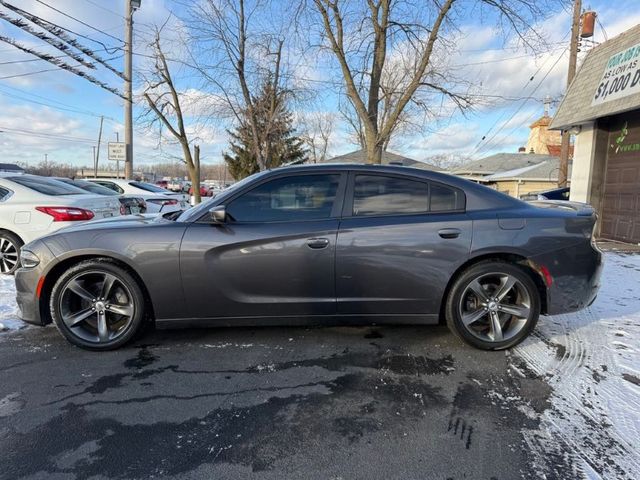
[269, 403]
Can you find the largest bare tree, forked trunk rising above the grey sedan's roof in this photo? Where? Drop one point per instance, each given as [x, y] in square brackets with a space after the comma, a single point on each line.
[391, 55]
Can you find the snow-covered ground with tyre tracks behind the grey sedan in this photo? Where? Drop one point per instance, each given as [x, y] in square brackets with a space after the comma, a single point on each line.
[591, 359]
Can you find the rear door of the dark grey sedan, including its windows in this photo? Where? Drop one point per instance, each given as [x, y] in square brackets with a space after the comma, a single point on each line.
[399, 241]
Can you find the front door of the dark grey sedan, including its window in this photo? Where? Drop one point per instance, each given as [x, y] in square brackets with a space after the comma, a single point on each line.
[274, 255]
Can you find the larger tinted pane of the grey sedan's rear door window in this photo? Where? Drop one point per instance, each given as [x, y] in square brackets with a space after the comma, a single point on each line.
[379, 195]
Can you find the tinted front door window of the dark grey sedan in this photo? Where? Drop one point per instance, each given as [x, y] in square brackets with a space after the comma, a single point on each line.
[295, 198]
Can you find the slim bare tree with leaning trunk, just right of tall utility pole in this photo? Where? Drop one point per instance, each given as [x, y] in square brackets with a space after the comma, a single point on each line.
[165, 109]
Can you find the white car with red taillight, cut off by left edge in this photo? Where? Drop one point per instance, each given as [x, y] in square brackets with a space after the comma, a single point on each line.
[32, 206]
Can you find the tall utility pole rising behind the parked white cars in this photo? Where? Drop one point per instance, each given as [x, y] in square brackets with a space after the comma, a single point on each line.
[129, 6]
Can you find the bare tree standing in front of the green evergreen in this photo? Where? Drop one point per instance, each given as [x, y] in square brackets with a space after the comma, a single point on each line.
[250, 55]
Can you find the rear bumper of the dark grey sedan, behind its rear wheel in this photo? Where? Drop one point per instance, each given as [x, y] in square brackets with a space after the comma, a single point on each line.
[576, 274]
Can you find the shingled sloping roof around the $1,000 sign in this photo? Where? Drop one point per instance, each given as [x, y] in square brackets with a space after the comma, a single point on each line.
[576, 107]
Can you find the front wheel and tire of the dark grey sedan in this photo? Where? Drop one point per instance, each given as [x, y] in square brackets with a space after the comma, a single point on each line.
[125, 286]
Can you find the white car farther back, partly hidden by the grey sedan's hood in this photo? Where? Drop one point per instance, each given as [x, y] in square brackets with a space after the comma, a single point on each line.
[159, 200]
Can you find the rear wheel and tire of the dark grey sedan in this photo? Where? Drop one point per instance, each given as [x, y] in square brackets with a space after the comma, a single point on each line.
[464, 302]
